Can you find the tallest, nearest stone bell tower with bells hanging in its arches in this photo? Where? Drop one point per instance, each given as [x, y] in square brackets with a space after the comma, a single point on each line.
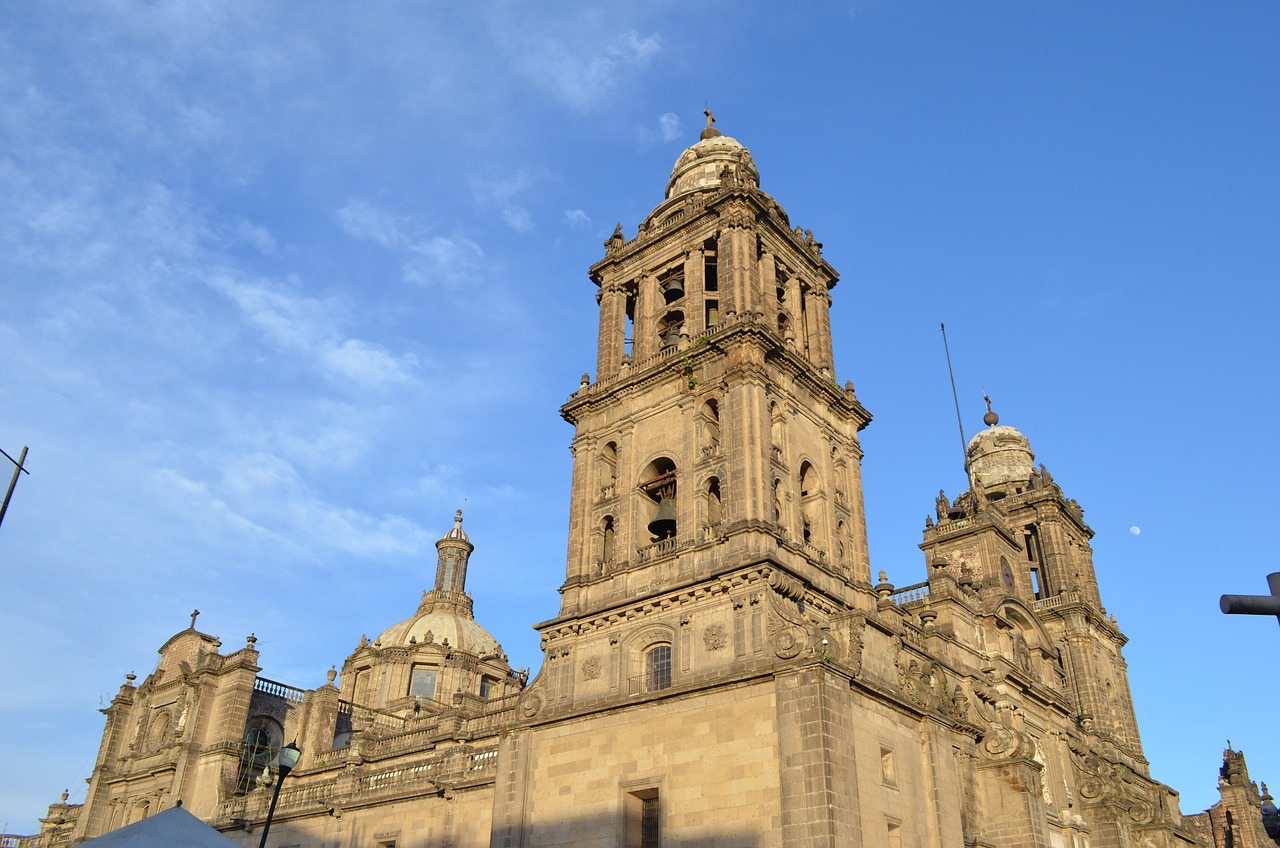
[716, 446]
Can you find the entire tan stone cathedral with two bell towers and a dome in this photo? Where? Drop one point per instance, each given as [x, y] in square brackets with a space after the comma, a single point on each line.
[728, 668]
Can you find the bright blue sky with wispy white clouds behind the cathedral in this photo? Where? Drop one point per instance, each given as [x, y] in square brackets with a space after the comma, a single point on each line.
[286, 285]
